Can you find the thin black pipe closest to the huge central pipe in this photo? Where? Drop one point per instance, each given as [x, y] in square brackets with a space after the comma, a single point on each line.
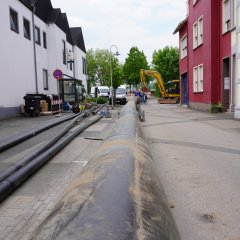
[14, 180]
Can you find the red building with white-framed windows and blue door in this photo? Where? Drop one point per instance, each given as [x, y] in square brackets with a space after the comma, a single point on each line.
[205, 54]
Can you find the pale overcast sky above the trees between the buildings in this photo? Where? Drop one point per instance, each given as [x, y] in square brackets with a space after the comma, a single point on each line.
[147, 24]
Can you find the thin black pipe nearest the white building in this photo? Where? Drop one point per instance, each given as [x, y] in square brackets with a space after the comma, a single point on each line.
[15, 139]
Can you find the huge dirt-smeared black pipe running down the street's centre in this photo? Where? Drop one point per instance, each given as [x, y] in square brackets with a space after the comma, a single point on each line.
[118, 196]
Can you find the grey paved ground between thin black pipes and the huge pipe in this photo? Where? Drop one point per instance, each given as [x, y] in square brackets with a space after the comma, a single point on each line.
[25, 208]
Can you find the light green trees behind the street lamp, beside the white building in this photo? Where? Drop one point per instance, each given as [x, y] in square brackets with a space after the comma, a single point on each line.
[99, 68]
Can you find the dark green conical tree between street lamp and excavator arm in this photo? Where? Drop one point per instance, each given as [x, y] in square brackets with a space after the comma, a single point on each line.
[135, 61]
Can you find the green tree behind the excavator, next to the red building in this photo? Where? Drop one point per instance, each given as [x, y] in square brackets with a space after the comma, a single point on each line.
[166, 62]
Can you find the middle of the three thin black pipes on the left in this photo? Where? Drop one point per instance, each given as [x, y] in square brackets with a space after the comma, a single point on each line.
[22, 162]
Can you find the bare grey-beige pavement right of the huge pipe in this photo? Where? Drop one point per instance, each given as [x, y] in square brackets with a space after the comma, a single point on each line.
[197, 157]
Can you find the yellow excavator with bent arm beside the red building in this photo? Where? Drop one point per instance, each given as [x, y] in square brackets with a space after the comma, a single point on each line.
[169, 95]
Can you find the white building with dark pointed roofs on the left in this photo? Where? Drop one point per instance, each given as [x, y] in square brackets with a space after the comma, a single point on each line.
[26, 65]
